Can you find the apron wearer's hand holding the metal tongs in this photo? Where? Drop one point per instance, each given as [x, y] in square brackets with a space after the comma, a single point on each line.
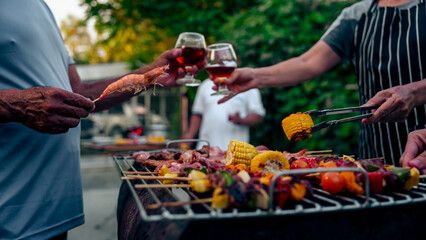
[395, 104]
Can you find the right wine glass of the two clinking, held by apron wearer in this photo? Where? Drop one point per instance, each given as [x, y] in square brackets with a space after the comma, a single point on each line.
[221, 62]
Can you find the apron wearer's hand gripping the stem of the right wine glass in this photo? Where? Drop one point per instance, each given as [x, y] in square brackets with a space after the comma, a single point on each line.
[241, 80]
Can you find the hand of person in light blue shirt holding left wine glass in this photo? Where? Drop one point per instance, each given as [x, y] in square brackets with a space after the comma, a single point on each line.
[176, 71]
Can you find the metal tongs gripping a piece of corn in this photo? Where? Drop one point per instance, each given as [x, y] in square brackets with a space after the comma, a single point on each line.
[326, 124]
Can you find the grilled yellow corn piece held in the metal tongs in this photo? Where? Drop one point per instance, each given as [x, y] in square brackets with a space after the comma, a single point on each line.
[297, 126]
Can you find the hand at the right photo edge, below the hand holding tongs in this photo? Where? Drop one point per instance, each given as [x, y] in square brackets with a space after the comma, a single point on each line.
[415, 151]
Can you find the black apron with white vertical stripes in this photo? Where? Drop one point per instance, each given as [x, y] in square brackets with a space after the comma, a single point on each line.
[390, 50]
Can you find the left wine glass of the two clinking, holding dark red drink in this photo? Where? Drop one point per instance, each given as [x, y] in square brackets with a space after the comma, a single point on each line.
[193, 53]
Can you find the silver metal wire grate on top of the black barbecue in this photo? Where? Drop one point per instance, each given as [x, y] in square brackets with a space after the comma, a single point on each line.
[321, 201]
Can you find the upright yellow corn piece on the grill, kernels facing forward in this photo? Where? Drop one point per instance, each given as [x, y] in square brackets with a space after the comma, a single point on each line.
[240, 153]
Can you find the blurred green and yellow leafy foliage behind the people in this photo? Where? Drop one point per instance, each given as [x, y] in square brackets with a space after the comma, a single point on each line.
[266, 32]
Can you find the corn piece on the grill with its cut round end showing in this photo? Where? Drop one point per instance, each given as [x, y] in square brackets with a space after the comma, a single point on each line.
[269, 161]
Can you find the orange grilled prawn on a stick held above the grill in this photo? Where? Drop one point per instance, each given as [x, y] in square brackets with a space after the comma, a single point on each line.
[136, 82]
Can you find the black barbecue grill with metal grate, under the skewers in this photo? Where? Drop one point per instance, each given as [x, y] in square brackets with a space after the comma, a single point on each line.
[394, 215]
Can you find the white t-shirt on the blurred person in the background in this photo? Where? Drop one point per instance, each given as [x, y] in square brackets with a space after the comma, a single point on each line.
[215, 126]
